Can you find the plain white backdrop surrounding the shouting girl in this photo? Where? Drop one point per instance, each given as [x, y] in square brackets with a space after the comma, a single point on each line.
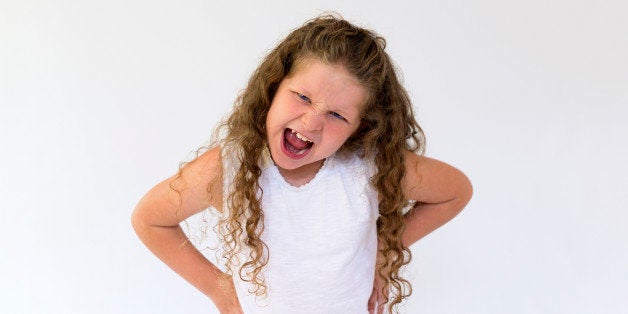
[100, 100]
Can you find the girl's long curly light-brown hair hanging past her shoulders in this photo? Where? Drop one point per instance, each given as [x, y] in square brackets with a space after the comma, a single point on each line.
[388, 129]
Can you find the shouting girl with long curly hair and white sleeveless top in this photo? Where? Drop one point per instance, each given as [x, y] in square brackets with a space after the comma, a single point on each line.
[312, 179]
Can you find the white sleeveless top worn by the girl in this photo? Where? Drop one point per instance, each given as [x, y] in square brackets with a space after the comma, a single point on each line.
[321, 236]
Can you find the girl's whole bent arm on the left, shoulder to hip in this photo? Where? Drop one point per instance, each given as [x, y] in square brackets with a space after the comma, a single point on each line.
[156, 221]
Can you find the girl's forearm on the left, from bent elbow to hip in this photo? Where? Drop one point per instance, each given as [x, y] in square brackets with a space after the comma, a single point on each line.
[172, 246]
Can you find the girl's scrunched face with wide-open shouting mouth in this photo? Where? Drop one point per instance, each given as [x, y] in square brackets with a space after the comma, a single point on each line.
[314, 111]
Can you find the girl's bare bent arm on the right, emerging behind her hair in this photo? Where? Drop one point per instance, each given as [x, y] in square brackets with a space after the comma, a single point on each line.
[441, 192]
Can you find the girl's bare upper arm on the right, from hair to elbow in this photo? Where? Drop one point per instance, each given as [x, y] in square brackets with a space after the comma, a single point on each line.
[431, 181]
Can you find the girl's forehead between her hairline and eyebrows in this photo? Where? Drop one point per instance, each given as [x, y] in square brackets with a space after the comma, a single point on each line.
[331, 84]
